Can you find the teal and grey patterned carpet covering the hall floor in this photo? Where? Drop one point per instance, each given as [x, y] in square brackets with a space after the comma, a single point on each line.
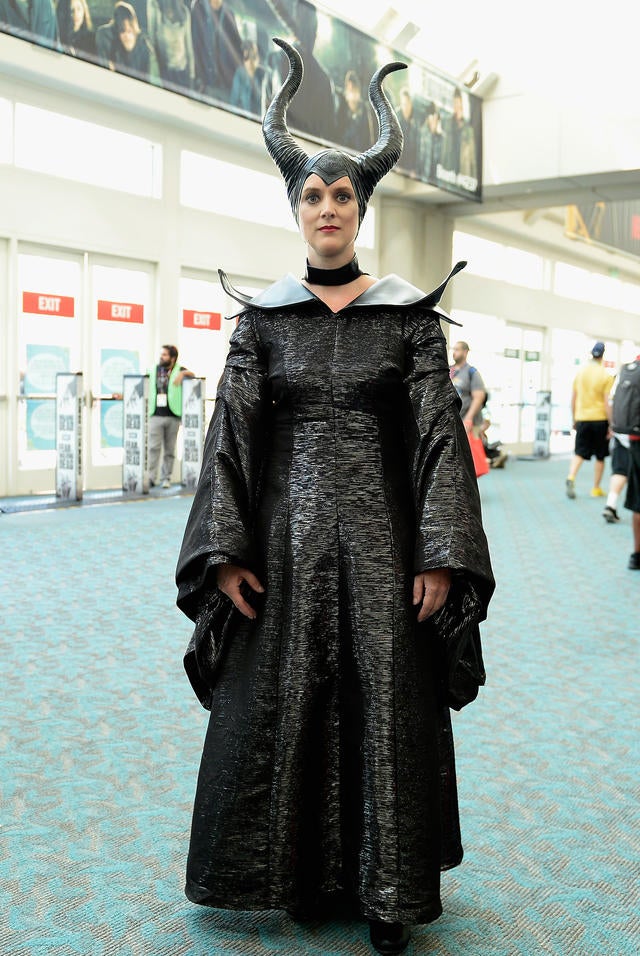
[100, 739]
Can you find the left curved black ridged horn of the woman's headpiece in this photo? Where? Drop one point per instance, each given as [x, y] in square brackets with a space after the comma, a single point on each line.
[283, 149]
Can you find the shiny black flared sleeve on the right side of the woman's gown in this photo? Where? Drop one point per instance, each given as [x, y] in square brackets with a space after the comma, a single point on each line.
[449, 532]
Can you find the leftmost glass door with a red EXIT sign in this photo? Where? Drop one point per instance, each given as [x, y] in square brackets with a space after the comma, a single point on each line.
[49, 340]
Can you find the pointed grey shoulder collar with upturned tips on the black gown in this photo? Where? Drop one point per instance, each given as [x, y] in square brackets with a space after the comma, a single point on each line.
[389, 291]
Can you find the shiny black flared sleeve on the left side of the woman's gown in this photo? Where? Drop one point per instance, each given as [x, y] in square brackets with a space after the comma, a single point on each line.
[220, 525]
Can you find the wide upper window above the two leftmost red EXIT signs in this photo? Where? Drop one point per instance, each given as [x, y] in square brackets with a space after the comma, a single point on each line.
[86, 152]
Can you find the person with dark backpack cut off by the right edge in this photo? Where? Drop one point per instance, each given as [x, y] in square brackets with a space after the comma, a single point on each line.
[626, 421]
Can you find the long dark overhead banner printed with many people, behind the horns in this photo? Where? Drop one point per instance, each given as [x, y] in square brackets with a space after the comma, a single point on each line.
[221, 52]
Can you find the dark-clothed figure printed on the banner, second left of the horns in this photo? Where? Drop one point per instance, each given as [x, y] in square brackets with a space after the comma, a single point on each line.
[217, 47]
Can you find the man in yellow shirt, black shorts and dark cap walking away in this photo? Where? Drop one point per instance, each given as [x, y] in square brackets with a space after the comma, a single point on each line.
[591, 412]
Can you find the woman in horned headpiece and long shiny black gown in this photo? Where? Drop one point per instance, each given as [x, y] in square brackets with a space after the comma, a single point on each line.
[336, 568]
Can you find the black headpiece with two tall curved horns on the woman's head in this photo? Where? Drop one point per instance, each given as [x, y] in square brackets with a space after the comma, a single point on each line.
[365, 171]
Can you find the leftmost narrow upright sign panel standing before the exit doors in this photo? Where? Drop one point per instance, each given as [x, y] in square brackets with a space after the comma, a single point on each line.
[69, 435]
